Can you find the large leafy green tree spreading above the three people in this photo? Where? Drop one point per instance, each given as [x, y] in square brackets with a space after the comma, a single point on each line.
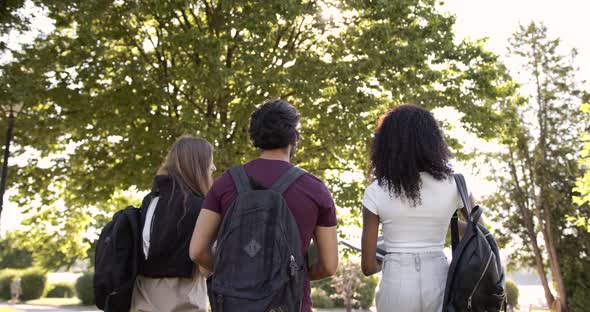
[125, 78]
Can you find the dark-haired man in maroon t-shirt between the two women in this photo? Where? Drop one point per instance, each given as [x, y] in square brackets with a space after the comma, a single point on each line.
[273, 129]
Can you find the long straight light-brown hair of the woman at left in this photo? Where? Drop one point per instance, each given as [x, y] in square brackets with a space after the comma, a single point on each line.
[188, 163]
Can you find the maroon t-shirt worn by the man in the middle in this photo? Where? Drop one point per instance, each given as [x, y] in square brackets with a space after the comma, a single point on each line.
[308, 198]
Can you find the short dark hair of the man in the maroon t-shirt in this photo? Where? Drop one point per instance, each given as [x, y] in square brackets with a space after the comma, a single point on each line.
[274, 125]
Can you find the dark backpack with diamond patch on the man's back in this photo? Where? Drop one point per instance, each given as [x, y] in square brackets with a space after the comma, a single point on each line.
[258, 261]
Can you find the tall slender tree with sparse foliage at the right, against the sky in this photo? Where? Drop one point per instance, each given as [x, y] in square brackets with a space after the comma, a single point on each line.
[540, 156]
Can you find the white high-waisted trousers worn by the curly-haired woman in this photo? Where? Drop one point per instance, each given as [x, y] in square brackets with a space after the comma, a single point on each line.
[413, 282]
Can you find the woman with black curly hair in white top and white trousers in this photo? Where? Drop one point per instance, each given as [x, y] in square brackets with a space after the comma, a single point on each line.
[413, 197]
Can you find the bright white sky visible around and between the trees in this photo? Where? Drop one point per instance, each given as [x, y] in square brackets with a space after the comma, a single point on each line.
[497, 20]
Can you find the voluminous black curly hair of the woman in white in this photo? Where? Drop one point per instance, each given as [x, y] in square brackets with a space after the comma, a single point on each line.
[408, 141]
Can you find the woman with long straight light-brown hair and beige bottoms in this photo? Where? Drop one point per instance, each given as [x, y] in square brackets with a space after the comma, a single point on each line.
[168, 280]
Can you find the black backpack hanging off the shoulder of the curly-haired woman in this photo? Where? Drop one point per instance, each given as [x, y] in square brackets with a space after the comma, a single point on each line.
[476, 280]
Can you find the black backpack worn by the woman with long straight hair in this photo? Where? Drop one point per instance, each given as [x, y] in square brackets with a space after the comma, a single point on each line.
[117, 261]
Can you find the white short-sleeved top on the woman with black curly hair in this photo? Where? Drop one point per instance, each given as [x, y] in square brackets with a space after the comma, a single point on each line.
[419, 228]
